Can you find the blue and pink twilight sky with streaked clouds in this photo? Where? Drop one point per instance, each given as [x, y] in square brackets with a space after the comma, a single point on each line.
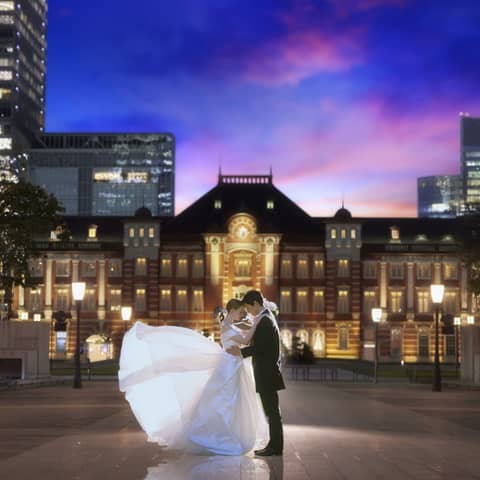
[342, 99]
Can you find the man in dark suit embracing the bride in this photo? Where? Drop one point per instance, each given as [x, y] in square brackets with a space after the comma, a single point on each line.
[265, 352]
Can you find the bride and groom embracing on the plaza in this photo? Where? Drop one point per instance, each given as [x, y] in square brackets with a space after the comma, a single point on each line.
[189, 393]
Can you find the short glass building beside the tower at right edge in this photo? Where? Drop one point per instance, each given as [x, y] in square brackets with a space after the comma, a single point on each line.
[439, 196]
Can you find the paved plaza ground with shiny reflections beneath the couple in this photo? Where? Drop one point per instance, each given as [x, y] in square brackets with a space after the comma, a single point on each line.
[337, 431]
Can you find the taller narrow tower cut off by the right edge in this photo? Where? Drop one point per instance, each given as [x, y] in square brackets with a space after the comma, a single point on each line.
[470, 161]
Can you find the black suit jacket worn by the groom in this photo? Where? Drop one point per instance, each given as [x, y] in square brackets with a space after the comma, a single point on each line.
[265, 352]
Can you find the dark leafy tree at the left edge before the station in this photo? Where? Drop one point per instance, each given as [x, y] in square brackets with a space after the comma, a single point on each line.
[26, 211]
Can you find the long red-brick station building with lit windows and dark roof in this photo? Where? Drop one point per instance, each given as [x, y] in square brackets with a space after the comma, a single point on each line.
[324, 273]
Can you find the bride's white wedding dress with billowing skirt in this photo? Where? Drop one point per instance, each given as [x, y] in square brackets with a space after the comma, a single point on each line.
[187, 393]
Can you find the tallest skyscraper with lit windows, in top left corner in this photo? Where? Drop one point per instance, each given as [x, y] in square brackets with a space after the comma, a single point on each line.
[23, 46]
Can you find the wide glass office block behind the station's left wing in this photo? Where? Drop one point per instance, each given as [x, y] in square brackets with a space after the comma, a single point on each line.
[106, 174]
